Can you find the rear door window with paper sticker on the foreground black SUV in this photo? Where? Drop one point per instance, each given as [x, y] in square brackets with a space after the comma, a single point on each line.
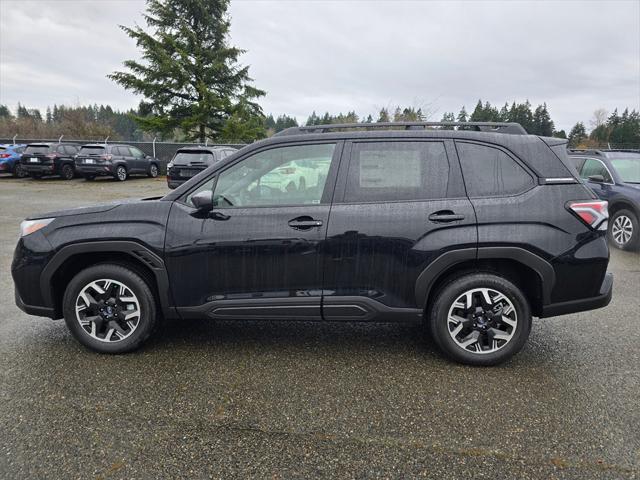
[397, 171]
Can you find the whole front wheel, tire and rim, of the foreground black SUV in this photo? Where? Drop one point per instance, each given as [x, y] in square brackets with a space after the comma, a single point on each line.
[109, 308]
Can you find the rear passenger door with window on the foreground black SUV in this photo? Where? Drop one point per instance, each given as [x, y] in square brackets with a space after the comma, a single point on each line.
[398, 206]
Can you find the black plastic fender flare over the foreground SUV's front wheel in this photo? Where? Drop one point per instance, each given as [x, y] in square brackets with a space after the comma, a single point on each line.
[137, 251]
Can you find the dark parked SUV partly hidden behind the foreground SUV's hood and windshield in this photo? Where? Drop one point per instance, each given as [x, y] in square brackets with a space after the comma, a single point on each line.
[189, 161]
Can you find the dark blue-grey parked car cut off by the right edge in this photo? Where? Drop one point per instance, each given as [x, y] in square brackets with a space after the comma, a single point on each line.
[614, 175]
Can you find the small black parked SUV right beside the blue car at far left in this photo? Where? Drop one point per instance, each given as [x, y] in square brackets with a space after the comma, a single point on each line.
[39, 159]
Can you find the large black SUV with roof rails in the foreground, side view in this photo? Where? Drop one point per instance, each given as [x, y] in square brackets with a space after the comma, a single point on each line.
[474, 232]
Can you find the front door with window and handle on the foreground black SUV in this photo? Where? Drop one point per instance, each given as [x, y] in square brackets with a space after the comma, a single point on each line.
[256, 254]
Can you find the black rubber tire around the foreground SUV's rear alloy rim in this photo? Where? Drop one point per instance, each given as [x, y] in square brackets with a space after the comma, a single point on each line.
[453, 290]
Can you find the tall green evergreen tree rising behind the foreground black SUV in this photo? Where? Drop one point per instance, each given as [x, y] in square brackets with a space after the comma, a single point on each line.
[190, 77]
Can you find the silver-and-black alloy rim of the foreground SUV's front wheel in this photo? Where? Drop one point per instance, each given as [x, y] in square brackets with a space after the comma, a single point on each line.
[108, 310]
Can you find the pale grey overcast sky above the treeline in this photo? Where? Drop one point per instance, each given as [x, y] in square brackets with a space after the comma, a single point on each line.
[351, 55]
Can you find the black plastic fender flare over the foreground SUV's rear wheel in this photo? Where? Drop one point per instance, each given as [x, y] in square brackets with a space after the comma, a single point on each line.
[427, 279]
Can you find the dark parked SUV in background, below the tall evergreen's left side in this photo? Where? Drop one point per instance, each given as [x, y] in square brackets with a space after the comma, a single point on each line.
[117, 161]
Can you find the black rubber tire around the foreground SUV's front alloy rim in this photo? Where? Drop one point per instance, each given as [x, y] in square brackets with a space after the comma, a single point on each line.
[147, 321]
